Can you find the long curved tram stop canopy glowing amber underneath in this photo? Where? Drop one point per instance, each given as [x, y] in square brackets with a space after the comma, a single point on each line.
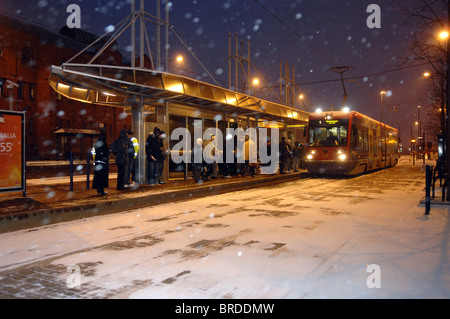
[121, 86]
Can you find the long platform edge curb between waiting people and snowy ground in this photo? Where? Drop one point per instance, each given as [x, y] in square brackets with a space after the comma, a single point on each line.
[45, 217]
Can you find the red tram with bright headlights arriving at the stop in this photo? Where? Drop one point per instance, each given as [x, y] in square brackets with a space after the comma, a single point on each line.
[349, 143]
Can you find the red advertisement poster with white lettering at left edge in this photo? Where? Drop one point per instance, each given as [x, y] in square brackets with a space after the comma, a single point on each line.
[11, 151]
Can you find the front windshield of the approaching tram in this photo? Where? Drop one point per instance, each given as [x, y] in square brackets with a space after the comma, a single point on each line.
[328, 133]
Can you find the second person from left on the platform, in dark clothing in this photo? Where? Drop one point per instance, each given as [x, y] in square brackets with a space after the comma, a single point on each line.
[120, 149]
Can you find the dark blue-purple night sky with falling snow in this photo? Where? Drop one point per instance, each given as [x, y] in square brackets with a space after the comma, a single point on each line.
[312, 35]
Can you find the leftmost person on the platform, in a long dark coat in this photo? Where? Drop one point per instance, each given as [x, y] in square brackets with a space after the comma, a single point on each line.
[101, 165]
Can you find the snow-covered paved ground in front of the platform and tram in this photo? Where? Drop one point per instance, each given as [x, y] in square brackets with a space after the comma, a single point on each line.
[312, 238]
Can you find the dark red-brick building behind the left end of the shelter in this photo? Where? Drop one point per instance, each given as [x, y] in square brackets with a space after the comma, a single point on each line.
[27, 52]
